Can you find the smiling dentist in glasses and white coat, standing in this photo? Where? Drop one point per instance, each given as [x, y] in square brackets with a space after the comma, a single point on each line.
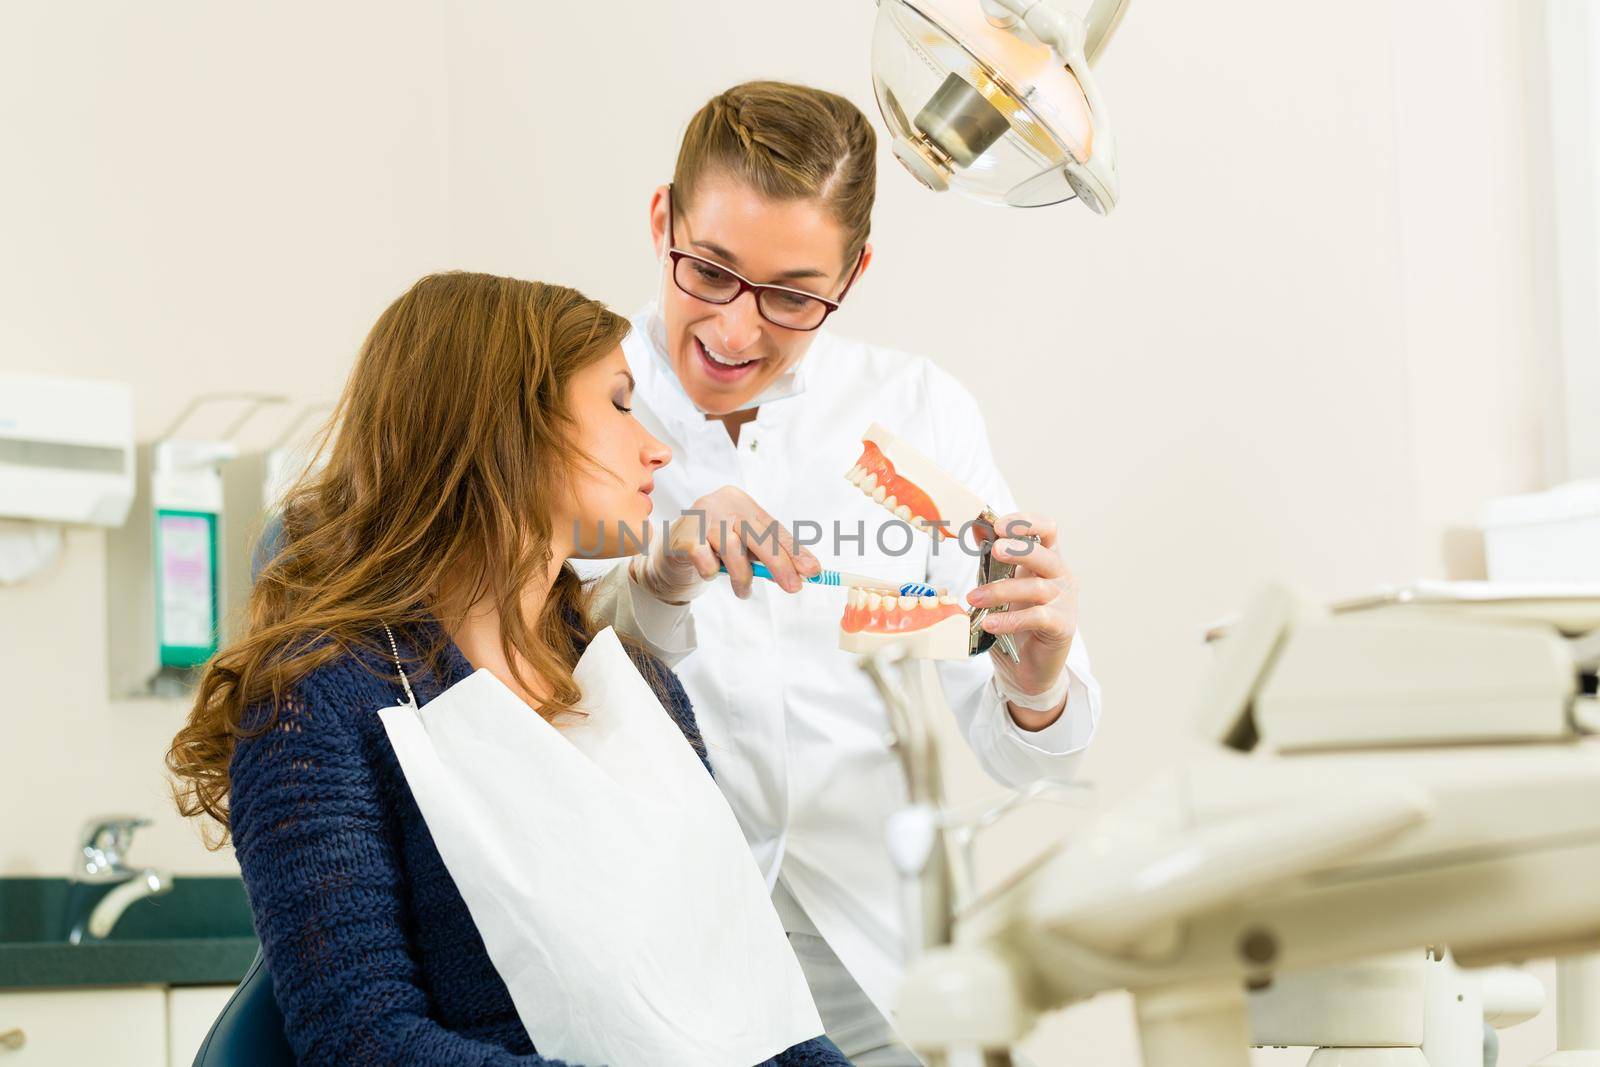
[761, 234]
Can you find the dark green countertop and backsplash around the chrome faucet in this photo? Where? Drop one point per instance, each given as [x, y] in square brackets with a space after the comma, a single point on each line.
[198, 935]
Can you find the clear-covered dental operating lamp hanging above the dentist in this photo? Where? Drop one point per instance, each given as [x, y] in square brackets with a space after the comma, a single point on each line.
[998, 98]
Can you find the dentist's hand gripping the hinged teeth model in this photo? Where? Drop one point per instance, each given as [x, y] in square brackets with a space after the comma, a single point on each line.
[1042, 612]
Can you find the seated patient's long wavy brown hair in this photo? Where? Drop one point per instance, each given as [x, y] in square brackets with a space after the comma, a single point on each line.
[444, 457]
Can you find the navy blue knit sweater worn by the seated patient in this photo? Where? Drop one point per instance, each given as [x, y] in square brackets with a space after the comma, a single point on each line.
[372, 951]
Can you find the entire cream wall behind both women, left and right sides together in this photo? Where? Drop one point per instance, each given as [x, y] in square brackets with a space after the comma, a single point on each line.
[1306, 346]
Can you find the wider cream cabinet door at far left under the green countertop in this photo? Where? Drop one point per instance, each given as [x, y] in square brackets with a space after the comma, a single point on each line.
[106, 1028]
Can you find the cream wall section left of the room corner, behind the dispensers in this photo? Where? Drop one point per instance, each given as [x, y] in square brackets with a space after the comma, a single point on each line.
[194, 199]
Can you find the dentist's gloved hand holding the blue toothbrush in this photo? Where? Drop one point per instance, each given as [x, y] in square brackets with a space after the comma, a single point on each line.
[722, 529]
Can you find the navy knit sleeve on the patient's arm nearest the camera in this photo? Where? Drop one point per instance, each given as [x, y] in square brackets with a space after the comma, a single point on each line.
[327, 890]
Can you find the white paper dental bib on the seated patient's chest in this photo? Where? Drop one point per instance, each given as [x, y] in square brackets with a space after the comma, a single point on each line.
[606, 873]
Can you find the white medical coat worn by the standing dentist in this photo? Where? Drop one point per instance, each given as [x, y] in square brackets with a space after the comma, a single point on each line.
[794, 730]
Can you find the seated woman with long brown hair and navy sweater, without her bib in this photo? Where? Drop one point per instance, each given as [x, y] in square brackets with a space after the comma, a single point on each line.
[484, 431]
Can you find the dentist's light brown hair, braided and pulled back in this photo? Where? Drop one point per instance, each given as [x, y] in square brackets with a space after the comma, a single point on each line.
[788, 143]
